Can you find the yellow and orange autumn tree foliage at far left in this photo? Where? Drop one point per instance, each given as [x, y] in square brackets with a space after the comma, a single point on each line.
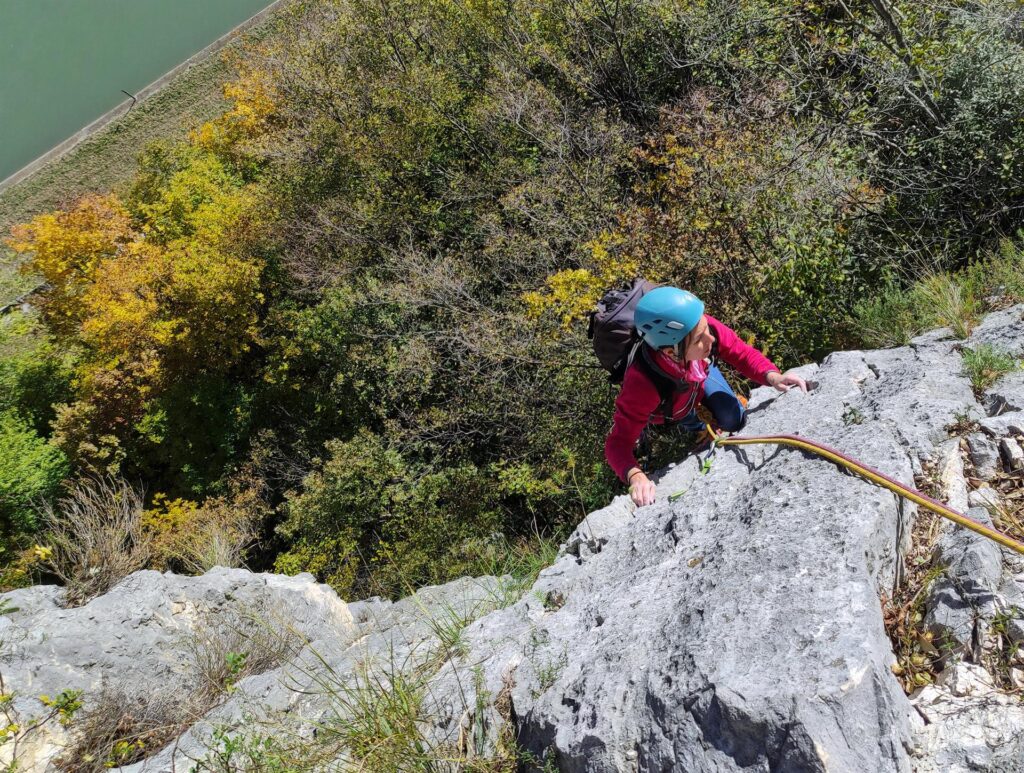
[151, 293]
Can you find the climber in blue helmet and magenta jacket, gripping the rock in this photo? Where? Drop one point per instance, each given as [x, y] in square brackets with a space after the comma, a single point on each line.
[679, 347]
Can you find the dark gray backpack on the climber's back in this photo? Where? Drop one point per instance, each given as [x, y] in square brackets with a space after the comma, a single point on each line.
[617, 343]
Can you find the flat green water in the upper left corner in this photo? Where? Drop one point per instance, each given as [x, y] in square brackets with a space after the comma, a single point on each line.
[64, 63]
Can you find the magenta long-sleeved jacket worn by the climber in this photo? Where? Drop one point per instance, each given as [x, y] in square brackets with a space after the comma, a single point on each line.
[637, 404]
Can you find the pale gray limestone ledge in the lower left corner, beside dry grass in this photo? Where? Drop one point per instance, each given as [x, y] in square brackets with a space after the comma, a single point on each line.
[142, 636]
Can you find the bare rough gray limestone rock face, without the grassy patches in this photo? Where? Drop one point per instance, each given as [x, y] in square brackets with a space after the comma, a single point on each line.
[733, 626]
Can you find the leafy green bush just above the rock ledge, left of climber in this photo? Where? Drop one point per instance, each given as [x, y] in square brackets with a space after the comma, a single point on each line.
[375, 513]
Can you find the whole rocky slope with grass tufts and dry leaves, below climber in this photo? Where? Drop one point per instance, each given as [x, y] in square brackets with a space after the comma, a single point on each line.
[739, 624]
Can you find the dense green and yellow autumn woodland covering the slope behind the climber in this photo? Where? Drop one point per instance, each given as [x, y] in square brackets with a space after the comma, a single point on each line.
[340, 330]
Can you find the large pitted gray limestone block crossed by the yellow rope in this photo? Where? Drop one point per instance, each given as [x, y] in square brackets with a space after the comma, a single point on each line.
[696, 637]
